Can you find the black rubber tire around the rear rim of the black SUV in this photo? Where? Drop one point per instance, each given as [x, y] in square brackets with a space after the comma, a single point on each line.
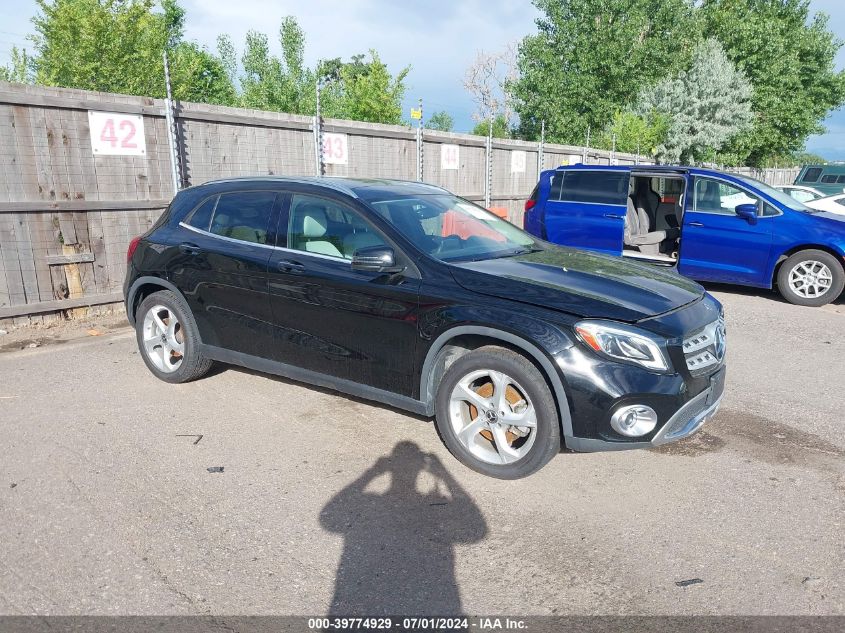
[193, 364]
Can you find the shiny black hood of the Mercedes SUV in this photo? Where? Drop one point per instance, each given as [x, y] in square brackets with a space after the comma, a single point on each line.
[581, 283]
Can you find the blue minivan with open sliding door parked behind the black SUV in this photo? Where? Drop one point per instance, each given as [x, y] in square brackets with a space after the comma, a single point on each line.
[710, 225]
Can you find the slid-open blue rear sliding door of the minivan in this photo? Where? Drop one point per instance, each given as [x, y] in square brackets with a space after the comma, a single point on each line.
[590, 210]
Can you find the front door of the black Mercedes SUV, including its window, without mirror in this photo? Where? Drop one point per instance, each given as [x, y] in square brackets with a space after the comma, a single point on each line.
[328, 318]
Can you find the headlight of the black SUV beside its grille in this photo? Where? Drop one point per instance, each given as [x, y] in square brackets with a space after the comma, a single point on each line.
[623, 343]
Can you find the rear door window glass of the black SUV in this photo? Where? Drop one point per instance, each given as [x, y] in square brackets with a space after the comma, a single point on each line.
[243, 215]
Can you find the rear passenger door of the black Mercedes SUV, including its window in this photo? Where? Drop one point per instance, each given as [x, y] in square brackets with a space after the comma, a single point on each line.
[225, 245]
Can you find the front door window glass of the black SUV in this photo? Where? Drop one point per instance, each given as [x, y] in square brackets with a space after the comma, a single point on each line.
[323, 227]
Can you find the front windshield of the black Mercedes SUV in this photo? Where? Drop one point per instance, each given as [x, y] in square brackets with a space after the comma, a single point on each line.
[453, 229]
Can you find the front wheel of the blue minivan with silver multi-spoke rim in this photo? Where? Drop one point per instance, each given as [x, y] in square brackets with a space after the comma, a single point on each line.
[811, 278]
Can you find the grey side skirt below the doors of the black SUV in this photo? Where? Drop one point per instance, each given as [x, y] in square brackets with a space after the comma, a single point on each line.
[314, 378]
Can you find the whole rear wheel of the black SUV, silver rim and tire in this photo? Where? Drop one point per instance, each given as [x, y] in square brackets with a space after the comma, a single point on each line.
[167, 338]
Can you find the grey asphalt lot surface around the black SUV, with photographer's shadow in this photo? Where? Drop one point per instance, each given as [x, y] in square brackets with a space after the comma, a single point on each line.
[248, 494]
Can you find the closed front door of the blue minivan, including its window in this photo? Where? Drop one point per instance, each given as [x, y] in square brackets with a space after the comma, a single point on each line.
[719, 245]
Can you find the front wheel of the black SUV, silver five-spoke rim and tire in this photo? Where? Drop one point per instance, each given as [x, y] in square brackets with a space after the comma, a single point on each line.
[496, 413]
